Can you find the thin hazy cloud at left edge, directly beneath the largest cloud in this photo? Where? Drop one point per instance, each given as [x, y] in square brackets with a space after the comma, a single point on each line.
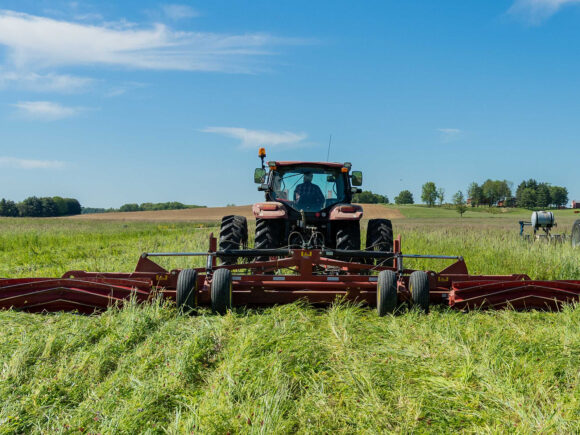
[43, 82]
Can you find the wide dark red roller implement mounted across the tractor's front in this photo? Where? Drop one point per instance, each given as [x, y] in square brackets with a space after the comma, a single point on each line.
[290, 275]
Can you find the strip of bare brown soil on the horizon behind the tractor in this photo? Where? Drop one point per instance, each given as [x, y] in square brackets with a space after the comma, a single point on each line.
[372, 211]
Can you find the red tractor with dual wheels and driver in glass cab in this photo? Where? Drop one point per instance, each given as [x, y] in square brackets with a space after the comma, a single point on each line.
[308, 206]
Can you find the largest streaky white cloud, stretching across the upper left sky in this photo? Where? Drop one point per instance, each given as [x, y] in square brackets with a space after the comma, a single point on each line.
[40, 42]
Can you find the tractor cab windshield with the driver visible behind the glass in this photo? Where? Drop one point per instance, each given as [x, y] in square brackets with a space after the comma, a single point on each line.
[308, 188]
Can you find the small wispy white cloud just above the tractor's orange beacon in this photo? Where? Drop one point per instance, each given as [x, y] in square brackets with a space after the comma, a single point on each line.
[255, 138]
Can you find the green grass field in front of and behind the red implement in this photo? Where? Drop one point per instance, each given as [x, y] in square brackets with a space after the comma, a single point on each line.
[290, 368]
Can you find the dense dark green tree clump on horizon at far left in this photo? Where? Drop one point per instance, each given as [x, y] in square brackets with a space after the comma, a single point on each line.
[40, 207]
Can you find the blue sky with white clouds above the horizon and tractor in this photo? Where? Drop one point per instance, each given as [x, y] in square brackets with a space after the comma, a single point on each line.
[138, 101]
